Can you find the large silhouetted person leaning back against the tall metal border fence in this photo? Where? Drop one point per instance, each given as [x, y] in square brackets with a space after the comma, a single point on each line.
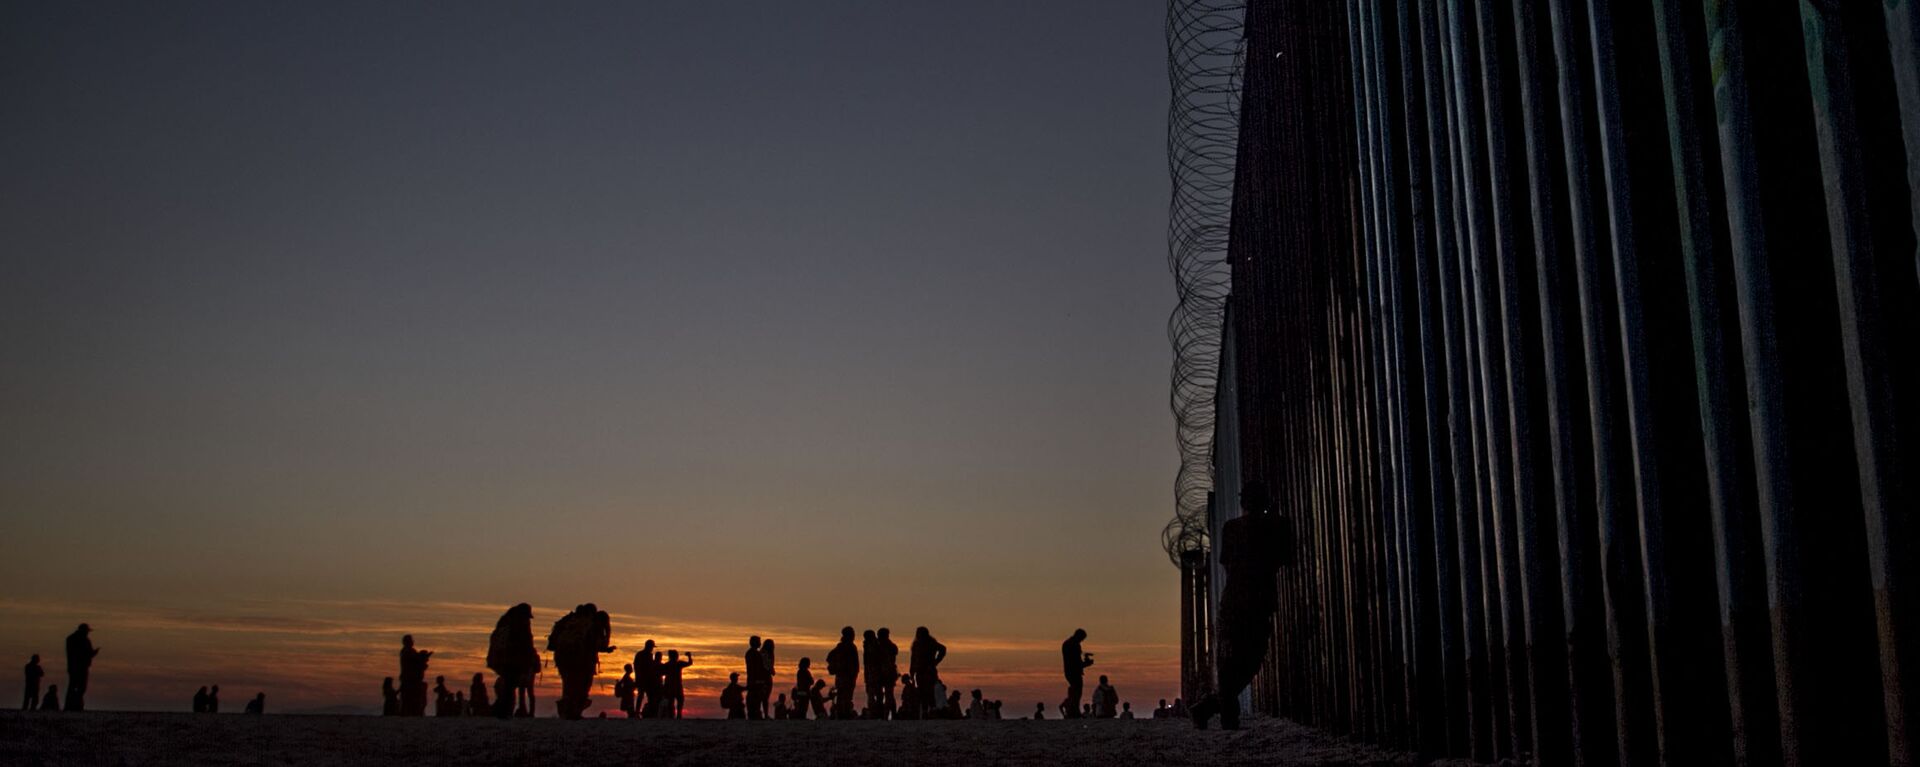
[1253, 549]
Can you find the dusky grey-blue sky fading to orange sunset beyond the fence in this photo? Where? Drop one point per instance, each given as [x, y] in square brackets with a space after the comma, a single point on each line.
[324, 324]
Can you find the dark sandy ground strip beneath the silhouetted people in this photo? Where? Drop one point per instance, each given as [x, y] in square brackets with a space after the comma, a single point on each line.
[118, 739]
